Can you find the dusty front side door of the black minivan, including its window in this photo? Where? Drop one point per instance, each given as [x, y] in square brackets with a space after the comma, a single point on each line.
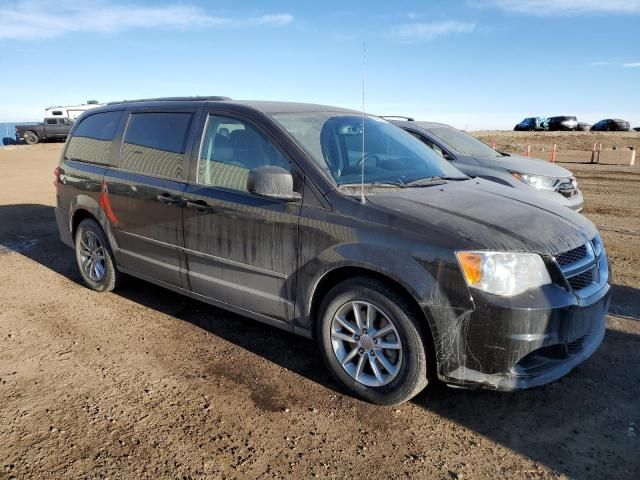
[241, 248]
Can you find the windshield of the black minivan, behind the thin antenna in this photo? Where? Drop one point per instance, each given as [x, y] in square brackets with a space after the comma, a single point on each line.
[334, 142]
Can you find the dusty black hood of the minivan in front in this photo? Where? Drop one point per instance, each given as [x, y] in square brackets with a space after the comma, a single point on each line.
[479, 214]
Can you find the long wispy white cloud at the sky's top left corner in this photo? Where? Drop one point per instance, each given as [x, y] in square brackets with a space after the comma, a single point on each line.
[29, 19]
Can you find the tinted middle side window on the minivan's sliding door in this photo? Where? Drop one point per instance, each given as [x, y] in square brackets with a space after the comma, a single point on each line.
[155, 143]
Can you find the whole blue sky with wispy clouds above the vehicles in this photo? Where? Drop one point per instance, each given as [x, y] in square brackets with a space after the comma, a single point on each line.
[475, 64]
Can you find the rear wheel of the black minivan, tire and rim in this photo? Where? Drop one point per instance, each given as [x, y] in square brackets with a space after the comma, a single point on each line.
[90, 238]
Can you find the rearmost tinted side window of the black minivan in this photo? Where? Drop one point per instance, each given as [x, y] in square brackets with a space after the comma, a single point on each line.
[91, 141]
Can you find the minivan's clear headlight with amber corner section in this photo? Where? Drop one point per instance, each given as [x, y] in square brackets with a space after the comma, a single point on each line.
[502, 273]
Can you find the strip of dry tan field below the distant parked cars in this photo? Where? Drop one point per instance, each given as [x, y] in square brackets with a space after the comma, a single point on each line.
[517, 141]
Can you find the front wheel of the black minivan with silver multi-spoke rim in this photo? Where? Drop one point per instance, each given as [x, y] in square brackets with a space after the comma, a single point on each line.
[408, 373]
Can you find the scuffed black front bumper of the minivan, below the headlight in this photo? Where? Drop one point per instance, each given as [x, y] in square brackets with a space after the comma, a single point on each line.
[507, 346]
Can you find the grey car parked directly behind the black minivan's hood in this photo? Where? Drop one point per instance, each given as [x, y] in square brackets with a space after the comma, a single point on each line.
[476, 159]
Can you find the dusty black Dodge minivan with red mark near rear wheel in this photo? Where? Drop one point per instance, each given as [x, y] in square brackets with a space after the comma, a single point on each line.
[341, 227]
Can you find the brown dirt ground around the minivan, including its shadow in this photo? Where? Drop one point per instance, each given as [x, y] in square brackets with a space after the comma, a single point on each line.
[144, 383]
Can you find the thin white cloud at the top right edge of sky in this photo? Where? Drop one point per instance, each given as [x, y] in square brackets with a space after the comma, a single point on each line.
[564, 7]
